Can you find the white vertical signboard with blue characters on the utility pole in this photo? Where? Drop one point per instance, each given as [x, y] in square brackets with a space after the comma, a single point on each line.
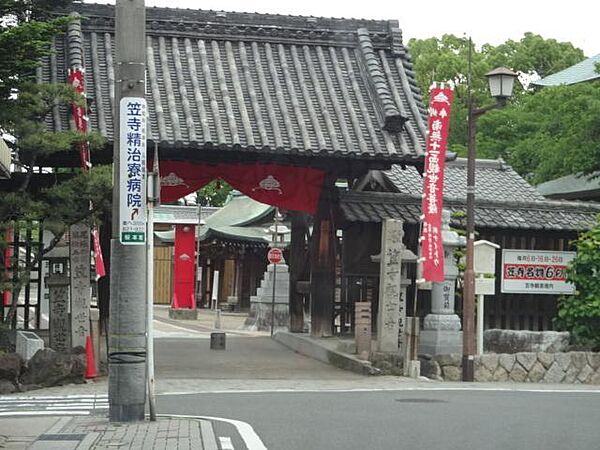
[132, 158]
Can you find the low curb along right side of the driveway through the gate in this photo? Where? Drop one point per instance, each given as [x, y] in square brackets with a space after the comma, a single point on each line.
[307, 346]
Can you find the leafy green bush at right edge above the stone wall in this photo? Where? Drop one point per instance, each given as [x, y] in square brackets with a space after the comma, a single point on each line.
[580, 314]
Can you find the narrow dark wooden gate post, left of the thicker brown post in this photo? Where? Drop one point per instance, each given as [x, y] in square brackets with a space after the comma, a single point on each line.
[296, 267]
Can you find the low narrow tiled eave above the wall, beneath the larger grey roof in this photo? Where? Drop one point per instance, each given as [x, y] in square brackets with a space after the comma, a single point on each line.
[540, 215]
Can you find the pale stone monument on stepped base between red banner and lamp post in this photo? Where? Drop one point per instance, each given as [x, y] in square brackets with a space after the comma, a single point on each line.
[441, 332]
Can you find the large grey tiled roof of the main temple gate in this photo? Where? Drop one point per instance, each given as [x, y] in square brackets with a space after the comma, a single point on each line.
[257, 83]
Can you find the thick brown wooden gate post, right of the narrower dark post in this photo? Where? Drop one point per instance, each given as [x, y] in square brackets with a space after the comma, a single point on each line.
[323, 252]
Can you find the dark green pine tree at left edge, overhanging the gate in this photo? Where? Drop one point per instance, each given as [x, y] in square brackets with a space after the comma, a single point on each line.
[24, 106]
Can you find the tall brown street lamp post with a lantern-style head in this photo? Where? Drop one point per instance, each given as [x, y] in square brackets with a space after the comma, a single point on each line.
[501, 82]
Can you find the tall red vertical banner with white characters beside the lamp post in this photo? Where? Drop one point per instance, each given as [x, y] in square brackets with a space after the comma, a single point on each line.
[432, 250]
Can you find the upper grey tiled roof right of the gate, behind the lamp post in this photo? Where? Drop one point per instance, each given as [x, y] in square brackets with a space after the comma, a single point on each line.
[494, 180]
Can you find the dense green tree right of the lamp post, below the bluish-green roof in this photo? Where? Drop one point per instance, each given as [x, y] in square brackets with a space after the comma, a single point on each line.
[547, 134]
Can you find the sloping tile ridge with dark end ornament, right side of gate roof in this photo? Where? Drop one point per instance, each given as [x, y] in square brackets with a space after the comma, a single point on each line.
[389, 115]
